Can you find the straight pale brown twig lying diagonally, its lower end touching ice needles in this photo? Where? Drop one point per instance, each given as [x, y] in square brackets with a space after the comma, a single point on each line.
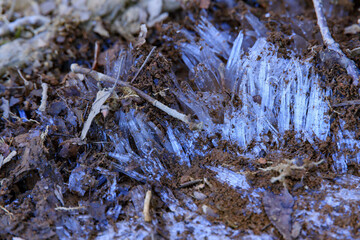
[172, 112]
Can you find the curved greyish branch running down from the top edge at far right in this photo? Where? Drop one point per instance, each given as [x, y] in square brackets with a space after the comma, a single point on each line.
[348, 64]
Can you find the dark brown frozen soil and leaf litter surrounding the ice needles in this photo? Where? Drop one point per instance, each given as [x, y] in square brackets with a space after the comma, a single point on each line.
[39, 200]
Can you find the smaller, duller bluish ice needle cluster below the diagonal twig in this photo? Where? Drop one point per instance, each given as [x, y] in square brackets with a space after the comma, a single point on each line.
[150, 144]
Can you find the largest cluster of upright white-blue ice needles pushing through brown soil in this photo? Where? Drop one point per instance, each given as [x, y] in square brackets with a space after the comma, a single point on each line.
[276, 93]
